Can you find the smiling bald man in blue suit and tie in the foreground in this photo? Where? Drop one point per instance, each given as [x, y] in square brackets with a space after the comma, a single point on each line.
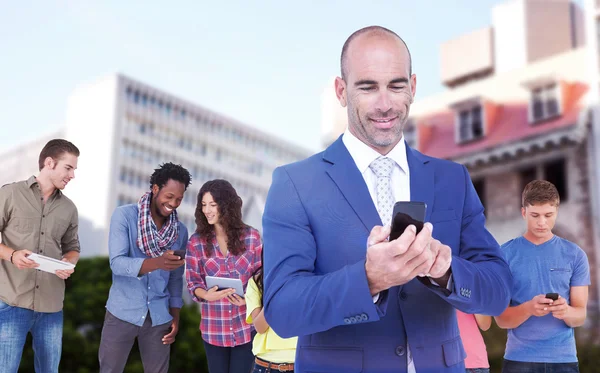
[357, 301]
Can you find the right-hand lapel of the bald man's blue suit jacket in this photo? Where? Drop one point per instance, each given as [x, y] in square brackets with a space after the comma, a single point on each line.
[421, 179]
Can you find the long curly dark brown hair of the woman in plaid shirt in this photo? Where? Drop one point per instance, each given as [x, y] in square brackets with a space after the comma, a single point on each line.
[229, 205]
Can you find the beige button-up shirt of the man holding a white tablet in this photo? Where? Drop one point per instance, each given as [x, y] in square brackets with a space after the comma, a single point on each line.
[49, 229]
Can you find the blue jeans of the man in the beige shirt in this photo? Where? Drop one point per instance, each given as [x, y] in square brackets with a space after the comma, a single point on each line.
[46, 330]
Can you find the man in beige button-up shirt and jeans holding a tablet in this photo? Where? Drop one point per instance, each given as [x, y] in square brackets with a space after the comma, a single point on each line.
[35, 217]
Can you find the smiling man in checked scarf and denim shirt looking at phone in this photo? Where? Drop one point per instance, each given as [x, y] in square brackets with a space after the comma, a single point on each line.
[144, 246]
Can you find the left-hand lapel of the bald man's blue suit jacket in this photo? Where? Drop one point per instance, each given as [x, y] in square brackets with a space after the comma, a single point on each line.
[349, 180]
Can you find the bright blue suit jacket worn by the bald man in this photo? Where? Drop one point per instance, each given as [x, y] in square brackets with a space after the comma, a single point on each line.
[316, 222]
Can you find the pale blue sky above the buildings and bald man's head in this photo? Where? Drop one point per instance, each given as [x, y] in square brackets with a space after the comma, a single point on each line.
[264, 63]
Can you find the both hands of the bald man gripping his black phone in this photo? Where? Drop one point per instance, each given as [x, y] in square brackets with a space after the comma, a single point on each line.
[398, 262]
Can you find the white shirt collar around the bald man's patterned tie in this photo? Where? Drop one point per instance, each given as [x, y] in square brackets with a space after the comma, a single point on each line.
[363, 155]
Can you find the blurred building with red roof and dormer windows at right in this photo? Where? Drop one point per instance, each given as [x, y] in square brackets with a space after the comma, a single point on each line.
[519, 106]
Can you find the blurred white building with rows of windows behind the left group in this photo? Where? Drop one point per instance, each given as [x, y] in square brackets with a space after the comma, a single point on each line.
[125, 129]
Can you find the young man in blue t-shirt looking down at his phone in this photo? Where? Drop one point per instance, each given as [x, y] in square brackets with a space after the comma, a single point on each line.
[540, 330]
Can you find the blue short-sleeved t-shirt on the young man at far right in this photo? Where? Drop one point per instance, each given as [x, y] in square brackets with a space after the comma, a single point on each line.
[552, 267]
